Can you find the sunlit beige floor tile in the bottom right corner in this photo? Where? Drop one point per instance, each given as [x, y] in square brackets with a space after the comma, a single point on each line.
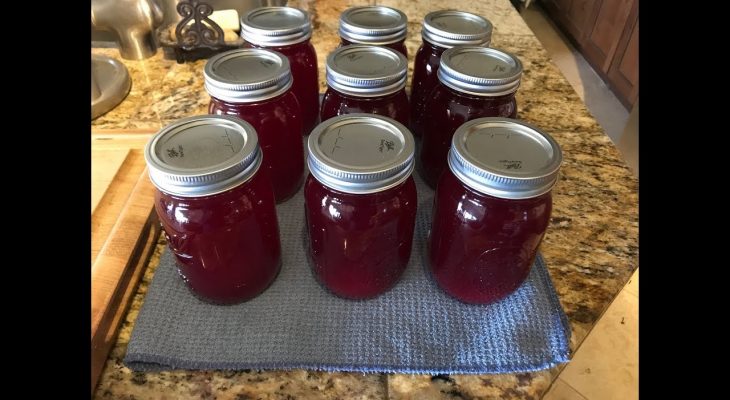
[606, 364]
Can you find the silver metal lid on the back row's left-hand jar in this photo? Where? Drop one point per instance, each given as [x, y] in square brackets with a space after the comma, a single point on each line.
[276, 26]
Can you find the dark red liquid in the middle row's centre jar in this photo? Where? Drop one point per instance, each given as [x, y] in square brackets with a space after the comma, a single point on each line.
[393, 105]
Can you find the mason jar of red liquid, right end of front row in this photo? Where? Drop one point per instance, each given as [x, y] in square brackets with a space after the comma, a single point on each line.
[492, 208]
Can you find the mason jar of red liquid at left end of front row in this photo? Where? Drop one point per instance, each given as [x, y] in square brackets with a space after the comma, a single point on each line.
[216, 207]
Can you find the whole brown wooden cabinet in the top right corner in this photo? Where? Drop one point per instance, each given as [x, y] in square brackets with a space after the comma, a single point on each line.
[607, 33]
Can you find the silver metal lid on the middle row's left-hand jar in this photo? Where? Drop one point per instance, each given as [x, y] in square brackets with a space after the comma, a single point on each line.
[247, 75]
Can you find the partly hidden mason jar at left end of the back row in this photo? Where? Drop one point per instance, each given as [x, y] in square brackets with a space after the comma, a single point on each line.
[288, 30]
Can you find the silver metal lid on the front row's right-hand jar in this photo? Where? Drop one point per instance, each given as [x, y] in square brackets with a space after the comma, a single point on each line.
[505, 158]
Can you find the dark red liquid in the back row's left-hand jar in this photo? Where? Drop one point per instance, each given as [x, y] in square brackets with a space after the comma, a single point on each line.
[303, 62]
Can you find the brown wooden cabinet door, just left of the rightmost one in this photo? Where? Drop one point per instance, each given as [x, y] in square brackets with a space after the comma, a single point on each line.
[602, 41]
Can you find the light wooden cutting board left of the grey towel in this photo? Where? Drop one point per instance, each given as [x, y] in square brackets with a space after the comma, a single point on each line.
[124, 231]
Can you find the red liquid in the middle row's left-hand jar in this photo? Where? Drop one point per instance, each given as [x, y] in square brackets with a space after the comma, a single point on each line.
[279, 129]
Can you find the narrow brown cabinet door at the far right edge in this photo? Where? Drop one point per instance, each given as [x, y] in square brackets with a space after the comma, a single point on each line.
[623, 74]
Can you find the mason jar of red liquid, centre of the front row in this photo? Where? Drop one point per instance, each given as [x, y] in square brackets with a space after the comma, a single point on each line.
[360, 203]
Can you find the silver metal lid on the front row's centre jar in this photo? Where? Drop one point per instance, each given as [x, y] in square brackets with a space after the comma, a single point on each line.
[361, 153]
